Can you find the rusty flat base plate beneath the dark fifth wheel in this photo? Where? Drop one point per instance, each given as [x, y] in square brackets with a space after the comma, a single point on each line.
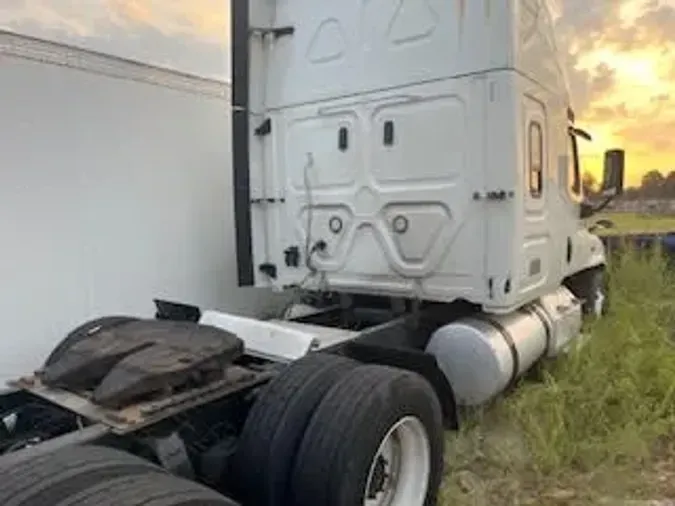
[143, 414]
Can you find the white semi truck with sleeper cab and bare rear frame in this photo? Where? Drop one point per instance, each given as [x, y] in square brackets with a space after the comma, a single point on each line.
[409, 172]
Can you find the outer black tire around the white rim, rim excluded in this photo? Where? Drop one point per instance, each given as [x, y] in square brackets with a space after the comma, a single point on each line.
[344, 435]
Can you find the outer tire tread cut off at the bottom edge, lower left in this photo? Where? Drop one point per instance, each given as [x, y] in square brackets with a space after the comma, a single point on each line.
[146, 490]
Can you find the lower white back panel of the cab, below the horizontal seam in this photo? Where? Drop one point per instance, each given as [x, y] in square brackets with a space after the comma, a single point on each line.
[386, 183]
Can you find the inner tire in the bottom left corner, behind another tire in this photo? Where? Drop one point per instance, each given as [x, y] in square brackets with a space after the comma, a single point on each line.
[44, 480]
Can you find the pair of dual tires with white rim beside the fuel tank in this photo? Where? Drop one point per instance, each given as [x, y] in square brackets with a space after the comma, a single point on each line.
[349, 435]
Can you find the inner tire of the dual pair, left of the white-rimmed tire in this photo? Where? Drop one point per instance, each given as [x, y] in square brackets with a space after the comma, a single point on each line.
[276, 423]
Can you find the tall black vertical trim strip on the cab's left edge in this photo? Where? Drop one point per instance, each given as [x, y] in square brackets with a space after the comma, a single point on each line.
[239, 15]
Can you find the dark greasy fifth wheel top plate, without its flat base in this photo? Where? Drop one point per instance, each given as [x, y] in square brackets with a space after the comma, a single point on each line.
[142, 359]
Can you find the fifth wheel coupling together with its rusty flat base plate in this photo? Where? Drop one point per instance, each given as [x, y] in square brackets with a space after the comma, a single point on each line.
[143, 372]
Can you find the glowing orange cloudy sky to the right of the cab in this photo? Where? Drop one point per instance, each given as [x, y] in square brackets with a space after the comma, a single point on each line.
[624, 62]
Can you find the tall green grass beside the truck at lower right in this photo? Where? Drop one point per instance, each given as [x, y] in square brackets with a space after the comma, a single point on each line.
[595, 423]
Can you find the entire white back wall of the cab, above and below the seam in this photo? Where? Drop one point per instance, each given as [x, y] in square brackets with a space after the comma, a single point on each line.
[377, 130]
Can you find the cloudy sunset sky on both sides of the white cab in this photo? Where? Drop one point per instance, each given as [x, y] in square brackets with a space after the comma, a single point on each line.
[620, 58]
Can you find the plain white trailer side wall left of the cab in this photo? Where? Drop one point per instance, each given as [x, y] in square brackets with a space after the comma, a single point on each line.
[115, 187]
